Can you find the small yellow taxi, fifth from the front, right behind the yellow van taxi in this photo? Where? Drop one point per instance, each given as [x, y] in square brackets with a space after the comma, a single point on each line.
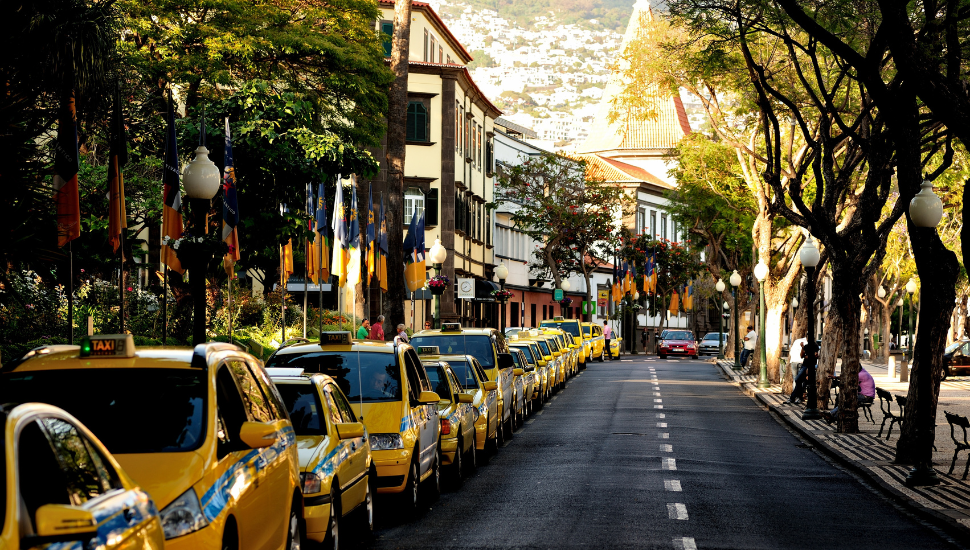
[458, 416]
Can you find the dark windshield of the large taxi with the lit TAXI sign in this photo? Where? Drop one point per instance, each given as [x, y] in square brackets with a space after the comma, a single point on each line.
[132, 411]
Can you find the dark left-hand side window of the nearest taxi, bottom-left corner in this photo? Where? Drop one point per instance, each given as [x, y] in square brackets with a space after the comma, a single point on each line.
[42, 481]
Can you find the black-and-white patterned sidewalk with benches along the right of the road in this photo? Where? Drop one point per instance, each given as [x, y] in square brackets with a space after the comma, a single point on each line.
[947, 503]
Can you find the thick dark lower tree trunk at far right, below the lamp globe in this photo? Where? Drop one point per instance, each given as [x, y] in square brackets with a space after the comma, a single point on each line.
[938, 269]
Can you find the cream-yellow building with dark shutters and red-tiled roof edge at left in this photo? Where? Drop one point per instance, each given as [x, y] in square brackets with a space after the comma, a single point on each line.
[448, 167]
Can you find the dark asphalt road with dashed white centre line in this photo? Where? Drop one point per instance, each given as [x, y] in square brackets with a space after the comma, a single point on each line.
[657, 454]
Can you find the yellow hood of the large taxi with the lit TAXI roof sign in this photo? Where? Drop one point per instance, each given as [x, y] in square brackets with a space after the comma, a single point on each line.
[164, 476]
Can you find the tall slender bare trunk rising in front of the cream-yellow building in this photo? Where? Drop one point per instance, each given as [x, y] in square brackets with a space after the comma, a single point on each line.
[396, 150]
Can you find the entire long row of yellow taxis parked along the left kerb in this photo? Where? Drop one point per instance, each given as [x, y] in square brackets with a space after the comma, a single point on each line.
[108, 446]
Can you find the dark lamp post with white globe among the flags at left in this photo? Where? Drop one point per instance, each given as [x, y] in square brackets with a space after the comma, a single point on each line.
[201, 180]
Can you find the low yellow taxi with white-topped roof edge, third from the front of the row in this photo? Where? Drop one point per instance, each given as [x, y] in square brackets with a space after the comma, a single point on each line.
[336, 468]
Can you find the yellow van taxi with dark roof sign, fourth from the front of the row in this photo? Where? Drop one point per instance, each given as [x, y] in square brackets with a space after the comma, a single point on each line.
[390, 393]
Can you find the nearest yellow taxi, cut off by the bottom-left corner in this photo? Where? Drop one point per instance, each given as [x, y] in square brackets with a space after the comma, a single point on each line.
[62, 486]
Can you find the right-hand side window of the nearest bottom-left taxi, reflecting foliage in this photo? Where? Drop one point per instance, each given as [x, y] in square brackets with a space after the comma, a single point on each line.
[84, 478]
